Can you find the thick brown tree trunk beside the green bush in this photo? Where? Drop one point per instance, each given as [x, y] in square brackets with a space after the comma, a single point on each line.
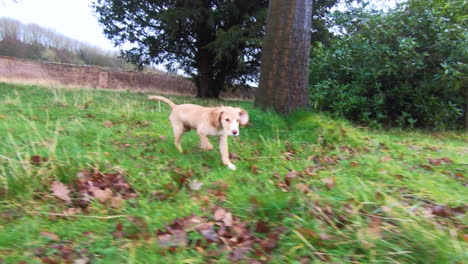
[285, 57]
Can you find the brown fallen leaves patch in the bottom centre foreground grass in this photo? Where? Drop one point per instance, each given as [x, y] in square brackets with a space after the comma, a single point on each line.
[228, 233]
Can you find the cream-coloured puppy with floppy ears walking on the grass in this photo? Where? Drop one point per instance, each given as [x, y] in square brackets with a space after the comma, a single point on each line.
[221, 121]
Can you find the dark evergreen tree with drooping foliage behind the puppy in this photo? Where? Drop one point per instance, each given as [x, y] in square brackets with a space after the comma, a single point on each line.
[213, 41]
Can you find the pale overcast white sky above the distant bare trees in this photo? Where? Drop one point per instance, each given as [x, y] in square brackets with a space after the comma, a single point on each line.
[72, 18]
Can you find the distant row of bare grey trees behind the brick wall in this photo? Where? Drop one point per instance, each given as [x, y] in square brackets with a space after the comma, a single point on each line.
[31, 41]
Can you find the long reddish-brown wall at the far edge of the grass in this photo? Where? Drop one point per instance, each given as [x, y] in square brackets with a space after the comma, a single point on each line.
[27, 71]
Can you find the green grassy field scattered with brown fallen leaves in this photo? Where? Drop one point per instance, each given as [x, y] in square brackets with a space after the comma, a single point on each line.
[308, 188]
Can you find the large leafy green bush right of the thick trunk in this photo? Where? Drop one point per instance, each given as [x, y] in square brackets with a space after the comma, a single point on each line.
[404, 67]
